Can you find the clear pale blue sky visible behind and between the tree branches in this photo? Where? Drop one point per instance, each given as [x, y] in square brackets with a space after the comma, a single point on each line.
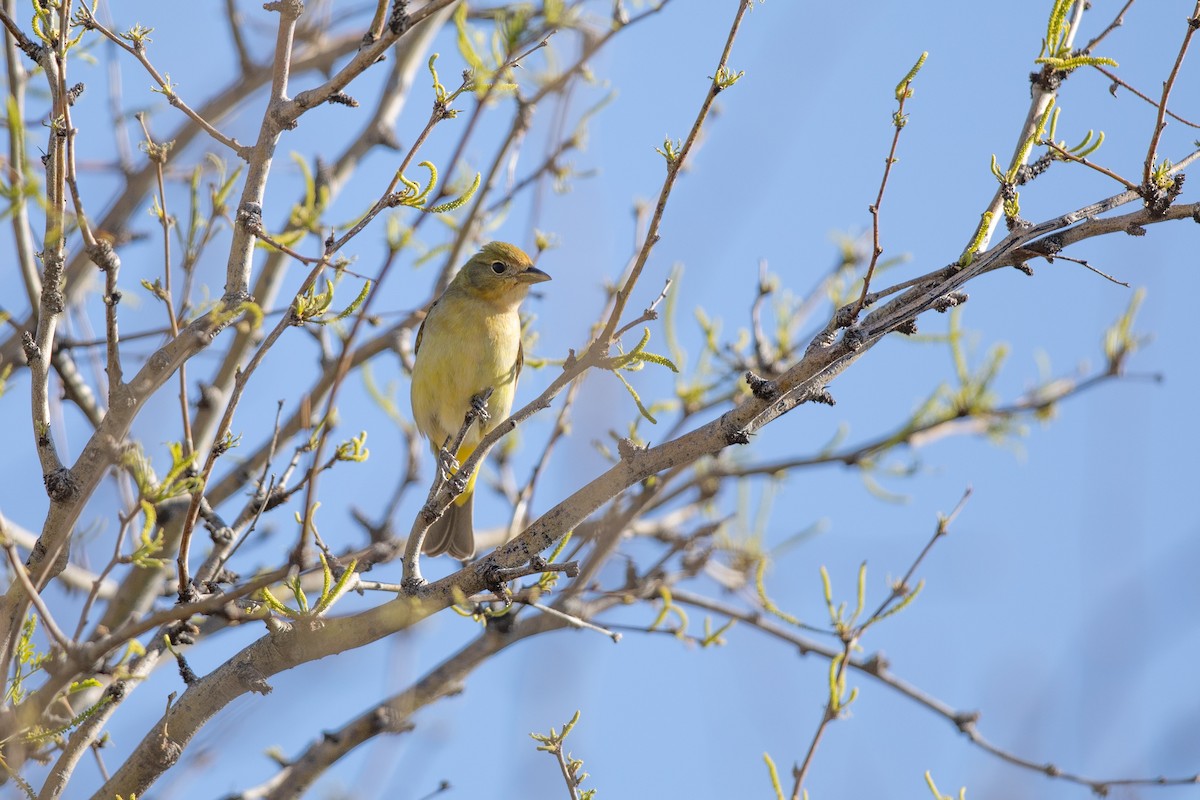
[1063, 604]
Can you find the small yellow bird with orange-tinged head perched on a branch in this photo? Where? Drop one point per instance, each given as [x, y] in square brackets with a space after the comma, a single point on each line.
[470, 341]
